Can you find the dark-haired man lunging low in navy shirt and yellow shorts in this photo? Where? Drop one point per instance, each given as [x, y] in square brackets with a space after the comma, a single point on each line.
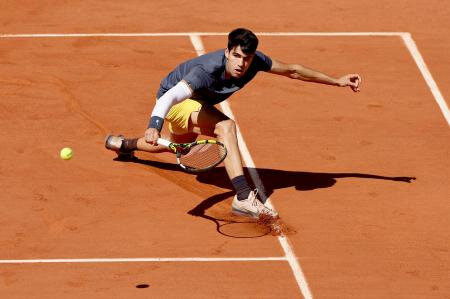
[186, 100]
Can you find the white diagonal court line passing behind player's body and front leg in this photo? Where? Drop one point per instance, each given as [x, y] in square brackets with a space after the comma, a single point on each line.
[284, 242]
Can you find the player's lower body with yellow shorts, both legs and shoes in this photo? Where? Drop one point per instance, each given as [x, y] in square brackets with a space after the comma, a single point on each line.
[188, 119]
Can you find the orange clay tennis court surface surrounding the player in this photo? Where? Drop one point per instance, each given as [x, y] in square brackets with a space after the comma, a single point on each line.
[361, 180]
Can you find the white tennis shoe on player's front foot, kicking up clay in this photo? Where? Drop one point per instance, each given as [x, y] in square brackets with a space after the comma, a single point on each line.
[251, 207]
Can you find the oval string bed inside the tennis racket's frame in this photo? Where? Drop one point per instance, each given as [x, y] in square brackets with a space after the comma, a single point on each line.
[203, 156]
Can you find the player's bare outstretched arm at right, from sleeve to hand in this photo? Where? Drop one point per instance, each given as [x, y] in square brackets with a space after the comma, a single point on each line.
[300, 72]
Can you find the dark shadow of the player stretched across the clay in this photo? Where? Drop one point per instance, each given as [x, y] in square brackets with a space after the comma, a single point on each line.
[271, 179]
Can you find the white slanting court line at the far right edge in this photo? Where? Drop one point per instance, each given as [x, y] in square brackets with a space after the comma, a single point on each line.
[412, 47]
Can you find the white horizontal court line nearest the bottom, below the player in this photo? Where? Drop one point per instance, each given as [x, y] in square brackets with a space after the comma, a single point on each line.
[135, 260]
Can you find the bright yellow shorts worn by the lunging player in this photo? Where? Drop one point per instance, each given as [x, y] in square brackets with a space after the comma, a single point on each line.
[179, 114]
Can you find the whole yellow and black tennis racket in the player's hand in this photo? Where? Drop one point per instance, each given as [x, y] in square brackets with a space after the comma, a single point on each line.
[198, 156]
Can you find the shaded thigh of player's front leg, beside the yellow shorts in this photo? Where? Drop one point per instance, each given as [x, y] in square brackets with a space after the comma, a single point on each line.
[204, 121]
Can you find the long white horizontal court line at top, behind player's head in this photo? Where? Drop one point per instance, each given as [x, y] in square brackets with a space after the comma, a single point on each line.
[48, 35]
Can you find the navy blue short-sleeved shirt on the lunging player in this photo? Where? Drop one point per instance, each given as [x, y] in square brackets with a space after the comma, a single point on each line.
[206, 76]
